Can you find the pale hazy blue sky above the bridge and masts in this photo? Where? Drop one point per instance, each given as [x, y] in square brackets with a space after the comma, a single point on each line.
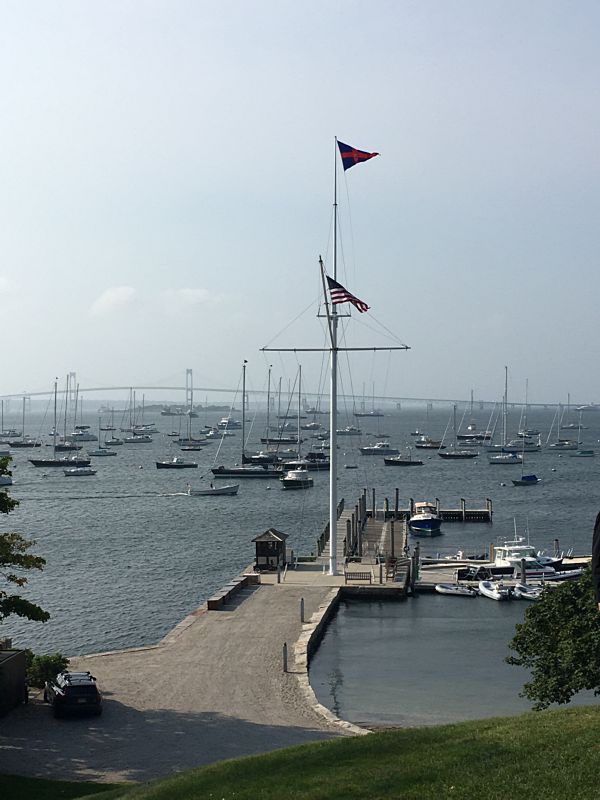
[166, 190]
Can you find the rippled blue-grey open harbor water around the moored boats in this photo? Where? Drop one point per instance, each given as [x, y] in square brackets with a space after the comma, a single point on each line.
[128, 555]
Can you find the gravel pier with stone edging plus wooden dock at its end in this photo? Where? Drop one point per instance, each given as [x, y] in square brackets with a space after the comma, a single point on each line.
[231, 679]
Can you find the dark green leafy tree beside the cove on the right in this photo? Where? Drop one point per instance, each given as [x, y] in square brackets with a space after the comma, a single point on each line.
[559, 643]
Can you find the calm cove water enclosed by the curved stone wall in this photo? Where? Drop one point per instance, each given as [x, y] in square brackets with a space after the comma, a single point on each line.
[427, 661]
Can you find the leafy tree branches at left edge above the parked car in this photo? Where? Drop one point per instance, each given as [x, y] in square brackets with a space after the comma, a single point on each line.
[15, 559]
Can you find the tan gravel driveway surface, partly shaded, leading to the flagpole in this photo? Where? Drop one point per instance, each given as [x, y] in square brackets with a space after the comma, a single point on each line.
[213, 689]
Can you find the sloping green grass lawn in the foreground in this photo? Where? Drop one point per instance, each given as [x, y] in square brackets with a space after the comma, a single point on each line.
[554, 755]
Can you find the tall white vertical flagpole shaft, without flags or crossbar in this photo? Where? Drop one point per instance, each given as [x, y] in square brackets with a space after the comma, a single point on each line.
[333, 396]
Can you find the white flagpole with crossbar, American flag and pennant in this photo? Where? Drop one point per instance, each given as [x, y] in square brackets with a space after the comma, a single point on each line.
[335, 294]
